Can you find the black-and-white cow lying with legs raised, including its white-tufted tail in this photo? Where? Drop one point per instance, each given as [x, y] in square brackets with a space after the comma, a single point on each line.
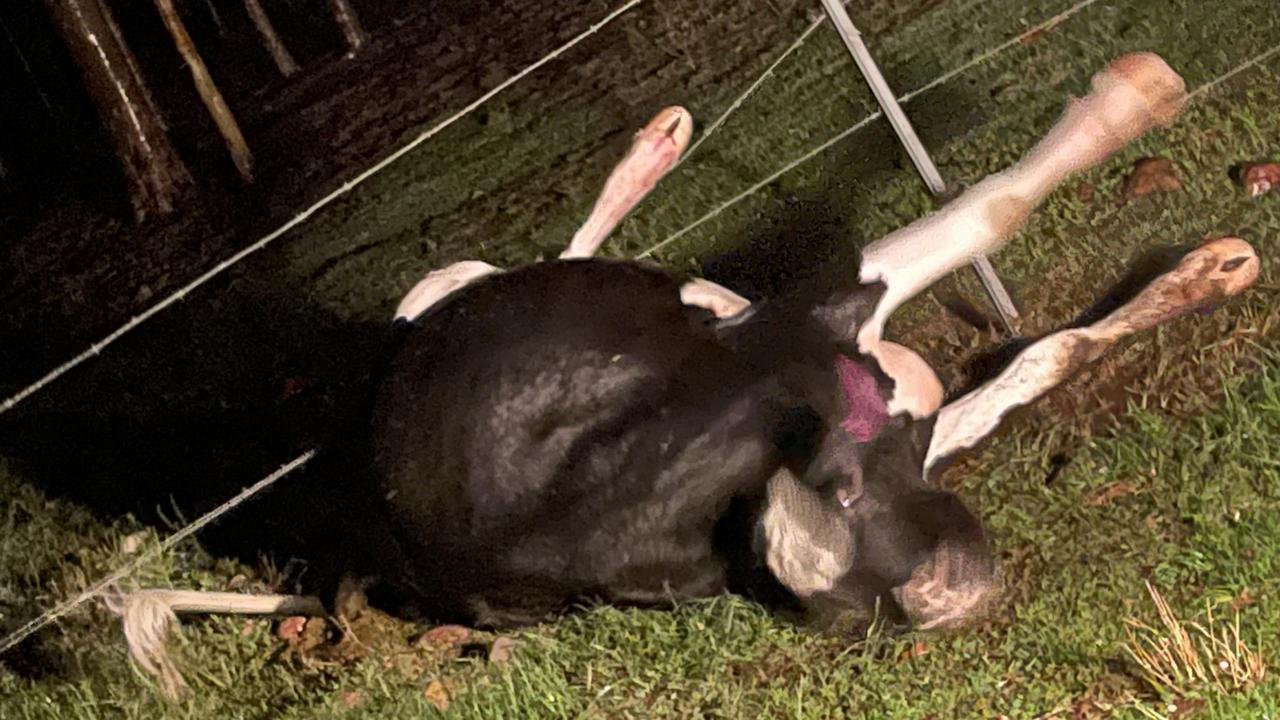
[598, 430]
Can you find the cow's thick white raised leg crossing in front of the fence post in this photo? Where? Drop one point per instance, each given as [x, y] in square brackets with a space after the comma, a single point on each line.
[1132, 95]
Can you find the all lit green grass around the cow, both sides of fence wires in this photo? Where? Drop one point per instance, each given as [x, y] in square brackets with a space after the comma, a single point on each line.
[1180, 489]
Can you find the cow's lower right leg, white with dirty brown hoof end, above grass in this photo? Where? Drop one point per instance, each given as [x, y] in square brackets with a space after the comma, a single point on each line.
[1206, 276]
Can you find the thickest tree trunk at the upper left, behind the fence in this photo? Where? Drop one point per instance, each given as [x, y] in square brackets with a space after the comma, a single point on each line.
[156, 174]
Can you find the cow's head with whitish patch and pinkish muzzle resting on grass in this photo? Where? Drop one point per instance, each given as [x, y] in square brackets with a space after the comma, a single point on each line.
[861, 528]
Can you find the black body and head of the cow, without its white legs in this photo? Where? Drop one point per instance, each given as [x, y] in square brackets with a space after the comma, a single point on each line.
[573, 431]
